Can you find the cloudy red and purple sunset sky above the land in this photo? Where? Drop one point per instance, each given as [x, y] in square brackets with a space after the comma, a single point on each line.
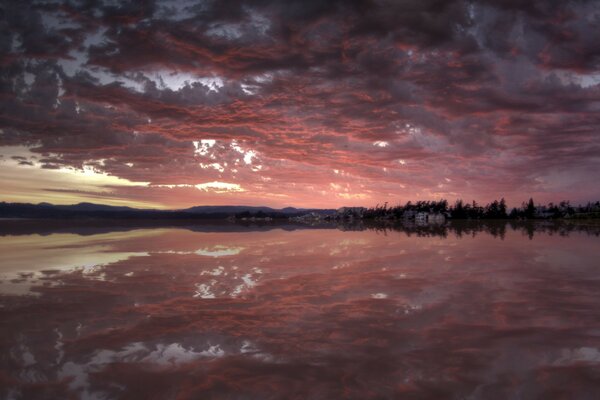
[309, 103]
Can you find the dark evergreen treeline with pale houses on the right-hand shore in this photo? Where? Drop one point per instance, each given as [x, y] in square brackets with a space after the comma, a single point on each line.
[494, 210]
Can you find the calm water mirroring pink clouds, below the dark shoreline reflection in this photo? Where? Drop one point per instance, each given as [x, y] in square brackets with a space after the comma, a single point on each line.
[171, 313]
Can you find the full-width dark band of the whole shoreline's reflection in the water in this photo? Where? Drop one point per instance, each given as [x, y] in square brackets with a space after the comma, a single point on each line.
[458, 228]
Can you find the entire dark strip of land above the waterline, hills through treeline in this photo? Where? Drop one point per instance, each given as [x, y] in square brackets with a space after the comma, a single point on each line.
[420, 211]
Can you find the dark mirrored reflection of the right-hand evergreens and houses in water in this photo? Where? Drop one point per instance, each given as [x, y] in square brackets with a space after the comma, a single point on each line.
[472, 228]
